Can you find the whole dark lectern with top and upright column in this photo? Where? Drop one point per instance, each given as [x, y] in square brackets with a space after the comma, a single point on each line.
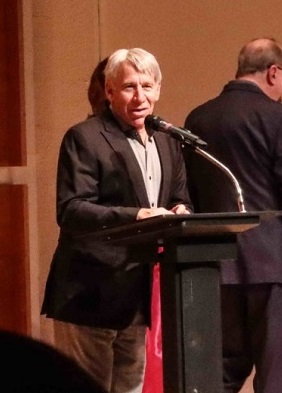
[190, 290]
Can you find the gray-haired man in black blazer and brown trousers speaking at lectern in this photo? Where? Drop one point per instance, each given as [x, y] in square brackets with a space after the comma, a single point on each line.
[111, 171]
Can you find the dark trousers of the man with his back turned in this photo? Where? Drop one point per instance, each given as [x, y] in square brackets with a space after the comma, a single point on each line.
[252, 336]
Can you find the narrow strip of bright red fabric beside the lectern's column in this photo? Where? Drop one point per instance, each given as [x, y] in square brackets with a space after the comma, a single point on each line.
[153, 382]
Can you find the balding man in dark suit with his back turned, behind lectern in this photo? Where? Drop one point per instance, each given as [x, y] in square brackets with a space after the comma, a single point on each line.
[243, 129]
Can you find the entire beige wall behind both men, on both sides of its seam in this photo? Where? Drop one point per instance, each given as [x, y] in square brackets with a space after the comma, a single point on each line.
[195, 41]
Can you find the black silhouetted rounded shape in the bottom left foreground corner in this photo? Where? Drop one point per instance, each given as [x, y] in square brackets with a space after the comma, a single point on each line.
[31, 366]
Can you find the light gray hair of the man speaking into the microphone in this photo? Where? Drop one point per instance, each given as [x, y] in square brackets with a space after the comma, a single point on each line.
[140, 59]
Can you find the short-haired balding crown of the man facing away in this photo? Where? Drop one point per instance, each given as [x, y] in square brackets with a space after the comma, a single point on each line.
[258, 55]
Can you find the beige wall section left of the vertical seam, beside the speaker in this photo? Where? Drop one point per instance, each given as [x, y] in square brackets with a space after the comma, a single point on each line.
[65, 48]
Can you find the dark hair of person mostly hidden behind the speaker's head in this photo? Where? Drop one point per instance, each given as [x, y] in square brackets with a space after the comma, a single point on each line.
[96, 89]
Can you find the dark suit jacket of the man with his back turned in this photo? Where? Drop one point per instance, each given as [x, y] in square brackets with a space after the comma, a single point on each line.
[243, 129]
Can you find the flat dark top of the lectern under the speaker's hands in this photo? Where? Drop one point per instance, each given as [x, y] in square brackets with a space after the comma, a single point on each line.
[184, 225]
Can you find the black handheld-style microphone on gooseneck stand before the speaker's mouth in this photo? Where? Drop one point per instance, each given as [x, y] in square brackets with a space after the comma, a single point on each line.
[157, 124]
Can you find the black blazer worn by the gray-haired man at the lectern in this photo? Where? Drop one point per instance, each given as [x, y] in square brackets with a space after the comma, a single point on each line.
[99, 183]
